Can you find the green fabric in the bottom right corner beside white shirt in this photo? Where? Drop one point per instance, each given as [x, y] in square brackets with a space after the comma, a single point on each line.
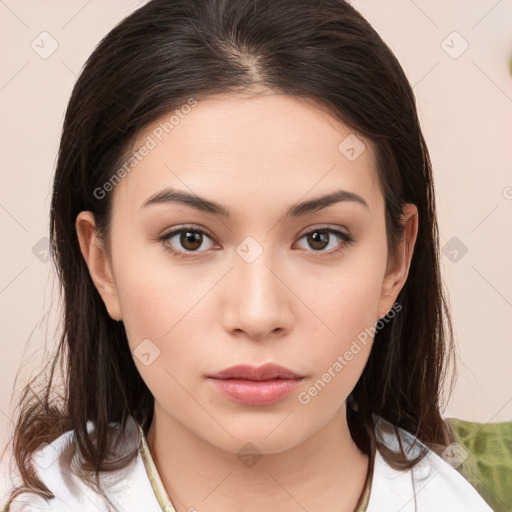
[488, 466]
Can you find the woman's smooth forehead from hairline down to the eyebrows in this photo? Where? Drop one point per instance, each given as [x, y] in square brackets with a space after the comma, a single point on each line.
[229, 144]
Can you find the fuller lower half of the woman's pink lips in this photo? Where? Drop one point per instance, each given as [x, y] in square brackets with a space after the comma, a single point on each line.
[252, 392]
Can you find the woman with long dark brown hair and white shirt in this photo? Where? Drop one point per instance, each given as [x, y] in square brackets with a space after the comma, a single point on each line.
[243, 222]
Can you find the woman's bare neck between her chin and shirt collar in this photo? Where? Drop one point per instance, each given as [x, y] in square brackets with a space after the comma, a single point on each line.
[325, 472]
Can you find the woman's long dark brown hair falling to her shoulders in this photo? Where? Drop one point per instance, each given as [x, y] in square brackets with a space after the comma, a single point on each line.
[150, 64]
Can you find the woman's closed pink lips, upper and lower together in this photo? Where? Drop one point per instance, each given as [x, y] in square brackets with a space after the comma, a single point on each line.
[250, 385]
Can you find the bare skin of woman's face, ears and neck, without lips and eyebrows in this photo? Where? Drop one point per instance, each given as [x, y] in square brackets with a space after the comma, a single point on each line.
[293, 305]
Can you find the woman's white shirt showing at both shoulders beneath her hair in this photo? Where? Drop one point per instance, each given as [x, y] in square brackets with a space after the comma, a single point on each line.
[433, 484]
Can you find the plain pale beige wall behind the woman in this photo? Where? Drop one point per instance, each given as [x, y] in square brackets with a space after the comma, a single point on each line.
[465, 106]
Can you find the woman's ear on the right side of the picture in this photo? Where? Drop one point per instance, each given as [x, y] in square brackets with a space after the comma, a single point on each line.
[398, 268]
